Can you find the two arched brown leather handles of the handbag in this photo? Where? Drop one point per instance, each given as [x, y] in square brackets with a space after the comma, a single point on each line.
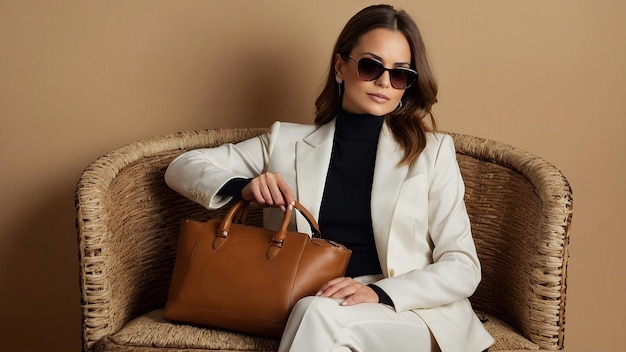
[238, 210]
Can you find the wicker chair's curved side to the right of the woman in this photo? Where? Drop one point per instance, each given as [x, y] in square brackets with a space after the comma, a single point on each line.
[520, 207]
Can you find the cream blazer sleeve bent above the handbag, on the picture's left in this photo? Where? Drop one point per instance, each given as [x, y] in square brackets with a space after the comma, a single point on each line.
[200, 174]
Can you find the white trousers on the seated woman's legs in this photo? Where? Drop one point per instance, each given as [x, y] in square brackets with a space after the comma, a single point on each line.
[319, 324]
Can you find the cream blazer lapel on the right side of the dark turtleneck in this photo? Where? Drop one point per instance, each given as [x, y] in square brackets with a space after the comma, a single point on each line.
[388, 179]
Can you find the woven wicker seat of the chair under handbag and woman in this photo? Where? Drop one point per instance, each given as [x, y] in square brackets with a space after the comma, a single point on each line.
[151, 332]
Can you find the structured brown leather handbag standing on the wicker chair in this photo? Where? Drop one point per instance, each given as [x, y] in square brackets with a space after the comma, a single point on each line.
[245, 278]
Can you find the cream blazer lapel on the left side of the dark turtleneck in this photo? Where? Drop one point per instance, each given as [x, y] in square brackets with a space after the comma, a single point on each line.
[312, 161]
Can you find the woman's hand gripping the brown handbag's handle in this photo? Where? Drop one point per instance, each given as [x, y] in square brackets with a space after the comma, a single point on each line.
[269, 189]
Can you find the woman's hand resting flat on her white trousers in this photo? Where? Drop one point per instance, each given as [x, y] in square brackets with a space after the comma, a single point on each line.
[351, 291]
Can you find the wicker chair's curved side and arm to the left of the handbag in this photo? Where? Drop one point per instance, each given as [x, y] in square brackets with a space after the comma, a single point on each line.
[128, 222]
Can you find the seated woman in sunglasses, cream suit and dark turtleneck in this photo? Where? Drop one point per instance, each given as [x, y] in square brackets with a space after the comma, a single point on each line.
[381, 182]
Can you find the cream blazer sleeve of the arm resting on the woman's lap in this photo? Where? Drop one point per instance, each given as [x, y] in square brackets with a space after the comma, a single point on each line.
[454, 272]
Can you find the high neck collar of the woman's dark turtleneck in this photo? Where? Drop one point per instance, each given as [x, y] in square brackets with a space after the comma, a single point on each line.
[358, 126]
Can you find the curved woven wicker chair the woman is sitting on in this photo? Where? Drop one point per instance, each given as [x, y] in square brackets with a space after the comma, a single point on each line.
[128, 222]
